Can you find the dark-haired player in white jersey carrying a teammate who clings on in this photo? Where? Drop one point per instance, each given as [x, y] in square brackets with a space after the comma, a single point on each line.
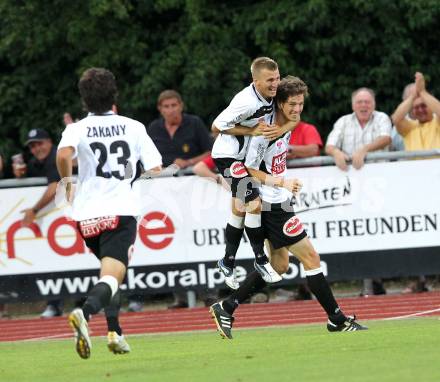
[266, 161]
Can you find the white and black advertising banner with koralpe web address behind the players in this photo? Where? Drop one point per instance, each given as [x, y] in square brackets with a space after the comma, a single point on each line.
[383, 220]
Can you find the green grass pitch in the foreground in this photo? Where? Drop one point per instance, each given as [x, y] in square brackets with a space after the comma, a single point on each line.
[400, 351]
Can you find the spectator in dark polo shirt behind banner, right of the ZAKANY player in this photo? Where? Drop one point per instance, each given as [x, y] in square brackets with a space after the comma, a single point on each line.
[181, 138]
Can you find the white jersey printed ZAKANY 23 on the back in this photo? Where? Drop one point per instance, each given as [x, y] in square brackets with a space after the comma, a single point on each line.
[108, 146]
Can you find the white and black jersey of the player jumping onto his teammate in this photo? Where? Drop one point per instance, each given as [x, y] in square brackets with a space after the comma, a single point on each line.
[246, 108]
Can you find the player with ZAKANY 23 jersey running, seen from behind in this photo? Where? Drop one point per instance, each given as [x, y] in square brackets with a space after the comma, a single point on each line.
[107, 147]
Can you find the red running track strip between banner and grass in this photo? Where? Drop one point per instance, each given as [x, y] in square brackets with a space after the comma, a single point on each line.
[247, 316]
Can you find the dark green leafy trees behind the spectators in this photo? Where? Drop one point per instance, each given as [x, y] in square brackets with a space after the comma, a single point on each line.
[203, 49]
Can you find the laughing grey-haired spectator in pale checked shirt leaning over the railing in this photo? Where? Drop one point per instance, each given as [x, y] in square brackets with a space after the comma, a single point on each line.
[356, 134]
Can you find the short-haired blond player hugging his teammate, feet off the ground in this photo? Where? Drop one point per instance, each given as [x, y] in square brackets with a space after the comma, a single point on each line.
[236, 124]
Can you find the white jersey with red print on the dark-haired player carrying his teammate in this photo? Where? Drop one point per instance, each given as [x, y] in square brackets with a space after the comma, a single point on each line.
[270, 157]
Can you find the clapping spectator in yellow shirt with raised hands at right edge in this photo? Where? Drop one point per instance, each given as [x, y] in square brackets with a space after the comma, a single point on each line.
[422, 130]
